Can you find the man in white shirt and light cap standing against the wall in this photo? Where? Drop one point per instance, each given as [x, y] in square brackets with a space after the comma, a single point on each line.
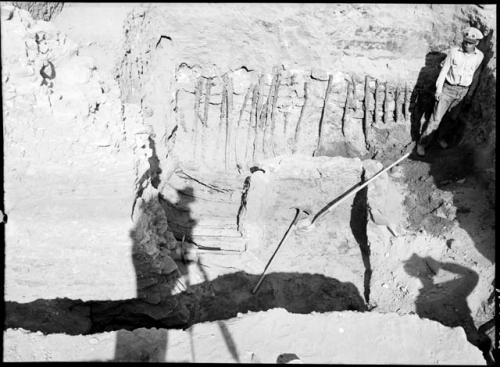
[456, 82]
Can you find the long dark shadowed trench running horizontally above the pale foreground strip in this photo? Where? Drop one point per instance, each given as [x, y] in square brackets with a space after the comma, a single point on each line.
[220, 299]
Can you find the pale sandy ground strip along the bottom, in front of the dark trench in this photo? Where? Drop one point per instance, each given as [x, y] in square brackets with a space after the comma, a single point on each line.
[339, 338]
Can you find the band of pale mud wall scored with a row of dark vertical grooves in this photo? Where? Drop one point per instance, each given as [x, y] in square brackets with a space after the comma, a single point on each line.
[239, 119]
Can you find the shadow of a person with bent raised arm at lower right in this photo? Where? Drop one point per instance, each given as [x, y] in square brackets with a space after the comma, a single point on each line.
[443, 296]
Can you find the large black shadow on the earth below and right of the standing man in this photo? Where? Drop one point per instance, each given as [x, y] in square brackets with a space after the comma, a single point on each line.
[466, 128]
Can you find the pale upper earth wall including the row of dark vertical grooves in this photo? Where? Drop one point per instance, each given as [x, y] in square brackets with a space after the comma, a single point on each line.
[323, 80]
